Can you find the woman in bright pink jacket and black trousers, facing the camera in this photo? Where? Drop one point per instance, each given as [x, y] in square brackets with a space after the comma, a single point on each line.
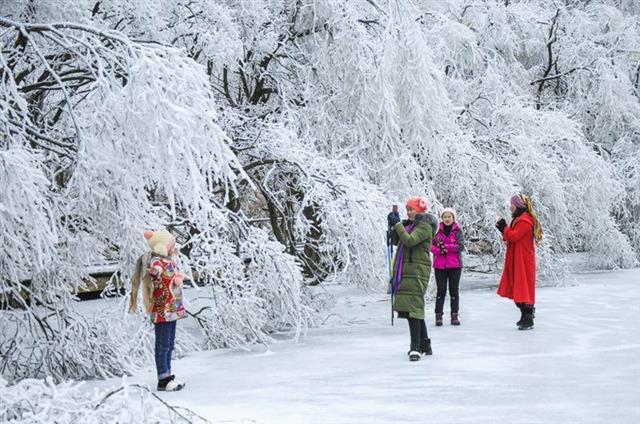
[447, 247]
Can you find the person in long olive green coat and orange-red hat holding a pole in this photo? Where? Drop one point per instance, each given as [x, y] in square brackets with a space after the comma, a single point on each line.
[412, 270]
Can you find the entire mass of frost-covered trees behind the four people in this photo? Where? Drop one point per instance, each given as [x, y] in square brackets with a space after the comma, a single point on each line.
[272, 136]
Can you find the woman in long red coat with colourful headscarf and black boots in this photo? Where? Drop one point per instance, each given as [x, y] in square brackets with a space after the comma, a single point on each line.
[518, 280]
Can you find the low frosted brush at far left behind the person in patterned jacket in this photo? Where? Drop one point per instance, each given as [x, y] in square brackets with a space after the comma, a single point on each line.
[79, 345]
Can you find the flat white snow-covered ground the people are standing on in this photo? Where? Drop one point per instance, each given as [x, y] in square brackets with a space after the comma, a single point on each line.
[581, 364]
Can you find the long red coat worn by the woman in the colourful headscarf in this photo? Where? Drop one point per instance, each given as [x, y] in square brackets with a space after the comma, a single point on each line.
[518, 280]
